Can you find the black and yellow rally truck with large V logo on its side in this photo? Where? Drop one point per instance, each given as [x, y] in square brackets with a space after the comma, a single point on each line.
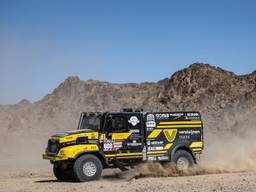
[124, 139]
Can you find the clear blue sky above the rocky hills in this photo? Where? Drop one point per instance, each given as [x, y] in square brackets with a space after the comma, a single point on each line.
[42, 42]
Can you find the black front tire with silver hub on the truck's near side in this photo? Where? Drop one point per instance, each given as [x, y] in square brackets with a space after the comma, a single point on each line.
[87, 168]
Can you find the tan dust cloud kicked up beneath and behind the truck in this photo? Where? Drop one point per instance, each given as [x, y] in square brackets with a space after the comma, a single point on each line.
[230, 150]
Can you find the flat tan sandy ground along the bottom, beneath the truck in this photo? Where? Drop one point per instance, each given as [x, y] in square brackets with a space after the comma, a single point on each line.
[44, 181]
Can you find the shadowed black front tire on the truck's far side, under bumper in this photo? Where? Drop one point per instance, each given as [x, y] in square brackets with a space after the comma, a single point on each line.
[63, 173]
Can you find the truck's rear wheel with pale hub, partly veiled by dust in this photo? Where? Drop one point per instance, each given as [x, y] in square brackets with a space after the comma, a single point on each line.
[182, 156]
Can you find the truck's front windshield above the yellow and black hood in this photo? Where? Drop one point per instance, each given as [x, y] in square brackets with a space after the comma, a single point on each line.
[90, 122]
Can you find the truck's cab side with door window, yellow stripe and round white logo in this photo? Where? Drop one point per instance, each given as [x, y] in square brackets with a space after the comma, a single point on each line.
[123, 134]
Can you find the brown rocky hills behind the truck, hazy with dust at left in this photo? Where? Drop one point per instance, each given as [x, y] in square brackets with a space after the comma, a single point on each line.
[227, 102]
